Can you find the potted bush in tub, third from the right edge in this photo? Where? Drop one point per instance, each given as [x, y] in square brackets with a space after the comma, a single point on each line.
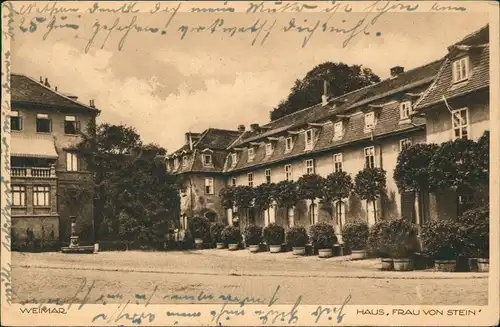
[402, 243]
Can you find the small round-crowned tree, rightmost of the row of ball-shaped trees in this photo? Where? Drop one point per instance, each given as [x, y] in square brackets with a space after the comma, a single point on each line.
[369, 184]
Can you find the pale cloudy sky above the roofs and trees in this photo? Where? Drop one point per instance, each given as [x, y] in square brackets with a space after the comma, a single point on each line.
[165, 87]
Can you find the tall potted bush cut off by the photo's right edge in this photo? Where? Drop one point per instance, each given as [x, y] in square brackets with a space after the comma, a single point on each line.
[476, 231]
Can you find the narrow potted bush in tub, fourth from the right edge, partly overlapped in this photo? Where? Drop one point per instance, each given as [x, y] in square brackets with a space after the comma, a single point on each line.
[378, 243]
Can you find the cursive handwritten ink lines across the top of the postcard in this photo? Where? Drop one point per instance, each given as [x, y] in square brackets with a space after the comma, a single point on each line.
[99, 24]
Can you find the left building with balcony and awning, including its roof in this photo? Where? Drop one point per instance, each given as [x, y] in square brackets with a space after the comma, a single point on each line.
[49, 179]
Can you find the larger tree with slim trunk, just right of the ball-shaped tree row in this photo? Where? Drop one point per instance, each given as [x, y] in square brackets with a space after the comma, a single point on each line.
[412, 171]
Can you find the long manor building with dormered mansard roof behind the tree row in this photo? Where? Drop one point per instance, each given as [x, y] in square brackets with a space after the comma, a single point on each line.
[437, 102]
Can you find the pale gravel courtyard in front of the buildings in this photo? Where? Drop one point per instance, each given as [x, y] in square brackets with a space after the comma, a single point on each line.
[189, 276]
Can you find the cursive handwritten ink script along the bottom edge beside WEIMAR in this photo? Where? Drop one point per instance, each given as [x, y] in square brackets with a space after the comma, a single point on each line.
[229, 306]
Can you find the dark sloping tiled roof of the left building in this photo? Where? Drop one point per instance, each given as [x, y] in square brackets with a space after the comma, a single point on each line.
[27, 90]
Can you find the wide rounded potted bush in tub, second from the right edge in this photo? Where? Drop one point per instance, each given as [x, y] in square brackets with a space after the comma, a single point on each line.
[441, 242]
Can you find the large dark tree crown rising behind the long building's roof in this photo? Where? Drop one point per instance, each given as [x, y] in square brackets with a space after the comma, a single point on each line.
[307, 92]
